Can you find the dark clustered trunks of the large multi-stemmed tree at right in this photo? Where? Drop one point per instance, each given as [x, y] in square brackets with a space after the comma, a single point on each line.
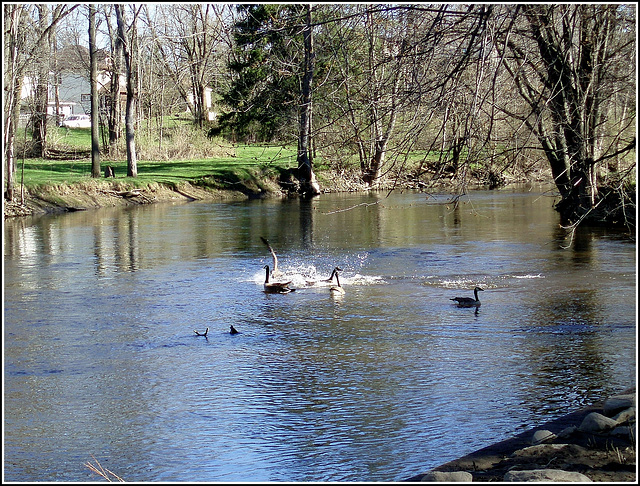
[575, 98]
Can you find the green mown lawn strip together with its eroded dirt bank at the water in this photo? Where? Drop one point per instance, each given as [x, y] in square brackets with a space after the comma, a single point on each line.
[64, 185]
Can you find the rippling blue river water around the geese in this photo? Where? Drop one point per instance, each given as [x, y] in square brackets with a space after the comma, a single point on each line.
[387, 381]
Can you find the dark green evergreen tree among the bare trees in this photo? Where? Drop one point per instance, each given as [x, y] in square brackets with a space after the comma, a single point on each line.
[266, 66]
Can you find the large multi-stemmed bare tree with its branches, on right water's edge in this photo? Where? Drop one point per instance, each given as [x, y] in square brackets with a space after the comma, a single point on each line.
[567, 63]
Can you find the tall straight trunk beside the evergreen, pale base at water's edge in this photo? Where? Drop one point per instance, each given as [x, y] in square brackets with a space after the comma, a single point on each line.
[309, 187]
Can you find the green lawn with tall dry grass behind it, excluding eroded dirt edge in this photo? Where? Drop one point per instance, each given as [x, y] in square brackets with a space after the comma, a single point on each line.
[173, 161]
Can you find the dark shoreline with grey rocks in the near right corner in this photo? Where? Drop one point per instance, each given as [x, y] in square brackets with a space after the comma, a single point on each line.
[595, 444]
